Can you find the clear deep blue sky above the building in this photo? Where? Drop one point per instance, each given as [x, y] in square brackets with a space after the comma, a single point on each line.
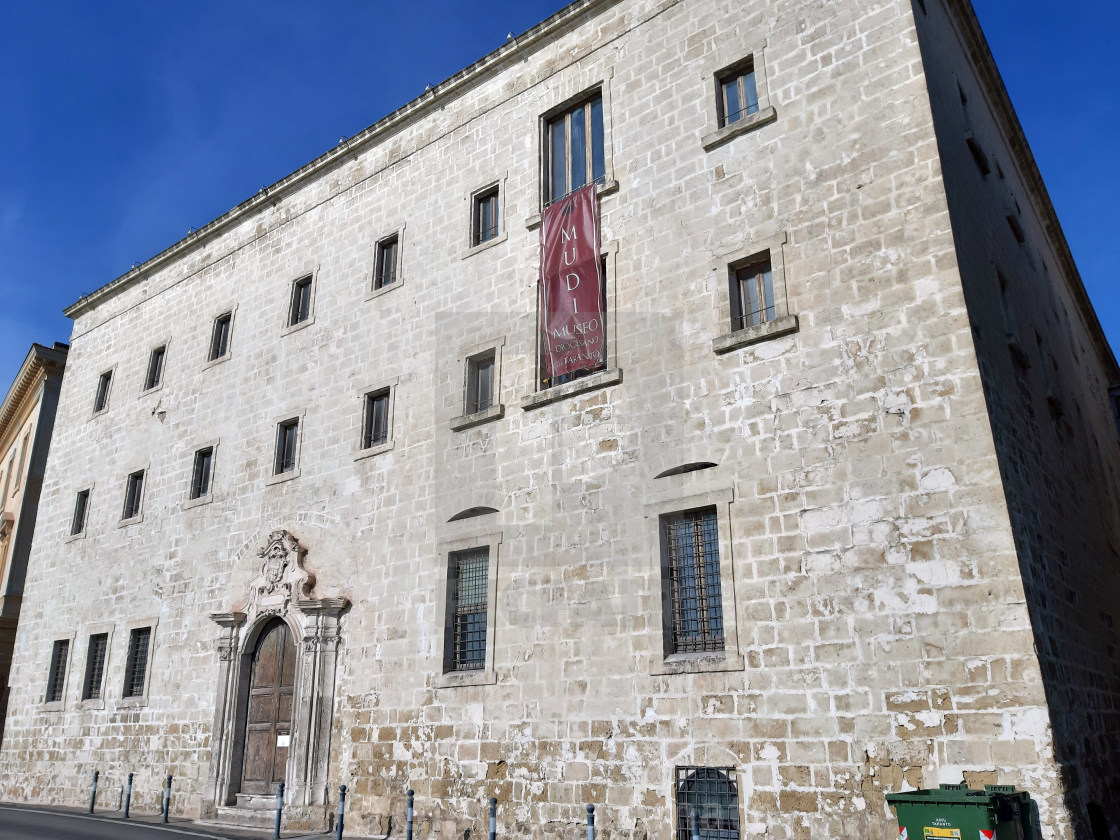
[125, 124]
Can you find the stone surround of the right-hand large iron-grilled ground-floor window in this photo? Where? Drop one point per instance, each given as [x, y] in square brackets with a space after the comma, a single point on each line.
[688, 493]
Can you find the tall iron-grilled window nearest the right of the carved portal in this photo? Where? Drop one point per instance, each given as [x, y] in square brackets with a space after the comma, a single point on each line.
[468, 603]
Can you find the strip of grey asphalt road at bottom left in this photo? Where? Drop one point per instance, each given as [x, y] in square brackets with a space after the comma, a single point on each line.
[31, 824]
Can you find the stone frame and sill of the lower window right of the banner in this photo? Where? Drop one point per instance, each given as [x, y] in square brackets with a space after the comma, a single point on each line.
[724, 264]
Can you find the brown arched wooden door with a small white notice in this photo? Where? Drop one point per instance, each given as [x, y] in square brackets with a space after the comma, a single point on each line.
[268, 715]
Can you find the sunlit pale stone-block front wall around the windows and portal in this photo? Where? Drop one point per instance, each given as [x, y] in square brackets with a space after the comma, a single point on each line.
[879, 636]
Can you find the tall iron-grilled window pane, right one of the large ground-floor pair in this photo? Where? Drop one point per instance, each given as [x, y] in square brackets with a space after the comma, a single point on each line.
[690, 546]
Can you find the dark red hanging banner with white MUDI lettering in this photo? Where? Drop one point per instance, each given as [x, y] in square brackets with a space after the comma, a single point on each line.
[573, 330]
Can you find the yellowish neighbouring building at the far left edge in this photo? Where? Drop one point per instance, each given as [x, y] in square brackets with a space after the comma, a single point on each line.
[27, 421]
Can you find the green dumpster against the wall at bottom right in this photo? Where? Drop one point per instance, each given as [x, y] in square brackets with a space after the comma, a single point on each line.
[998, 813]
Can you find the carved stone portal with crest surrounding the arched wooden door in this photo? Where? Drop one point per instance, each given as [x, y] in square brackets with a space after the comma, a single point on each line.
[283, 587]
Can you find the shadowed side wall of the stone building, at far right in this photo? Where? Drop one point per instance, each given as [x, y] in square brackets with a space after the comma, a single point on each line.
[1047, 372]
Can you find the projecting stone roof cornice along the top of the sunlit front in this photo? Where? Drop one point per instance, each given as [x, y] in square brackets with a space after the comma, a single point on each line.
[398, 119]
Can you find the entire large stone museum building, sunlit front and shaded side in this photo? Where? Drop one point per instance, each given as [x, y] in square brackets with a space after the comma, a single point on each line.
[858, 539]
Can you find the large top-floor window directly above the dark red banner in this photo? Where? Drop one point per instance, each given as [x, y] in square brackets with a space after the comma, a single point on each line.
[575, 148]
